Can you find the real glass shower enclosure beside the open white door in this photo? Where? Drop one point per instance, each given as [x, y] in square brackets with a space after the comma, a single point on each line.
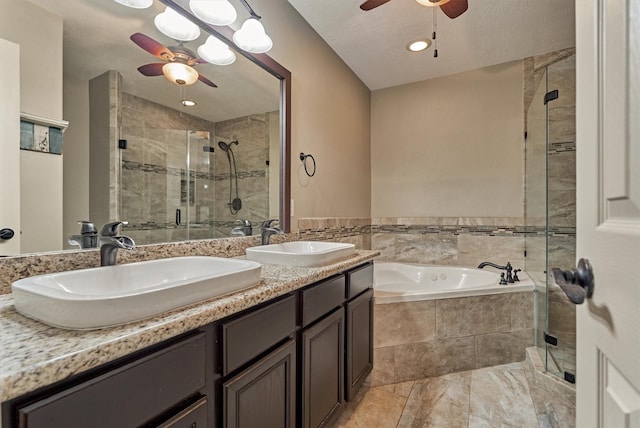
[550, 205]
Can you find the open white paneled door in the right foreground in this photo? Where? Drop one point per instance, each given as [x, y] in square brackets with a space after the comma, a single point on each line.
[608, 211]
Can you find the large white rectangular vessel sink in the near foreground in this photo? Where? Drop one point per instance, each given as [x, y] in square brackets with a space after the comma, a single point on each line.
[112, 295]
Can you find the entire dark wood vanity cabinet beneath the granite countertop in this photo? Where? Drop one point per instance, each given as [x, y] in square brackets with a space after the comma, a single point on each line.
[289, 362]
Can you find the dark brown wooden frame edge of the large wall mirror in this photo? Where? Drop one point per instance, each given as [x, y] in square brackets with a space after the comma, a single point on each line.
[274, 68]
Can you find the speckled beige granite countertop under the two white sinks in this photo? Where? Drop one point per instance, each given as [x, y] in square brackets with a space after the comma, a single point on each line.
[33, 354]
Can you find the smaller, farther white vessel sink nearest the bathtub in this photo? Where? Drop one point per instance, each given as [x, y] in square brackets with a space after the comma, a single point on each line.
[301, 253]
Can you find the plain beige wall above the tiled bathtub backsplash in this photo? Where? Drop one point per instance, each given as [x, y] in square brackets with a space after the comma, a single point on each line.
[449, 147]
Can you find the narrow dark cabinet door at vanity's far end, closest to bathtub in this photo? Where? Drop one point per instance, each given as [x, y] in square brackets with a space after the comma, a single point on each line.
[359, 341]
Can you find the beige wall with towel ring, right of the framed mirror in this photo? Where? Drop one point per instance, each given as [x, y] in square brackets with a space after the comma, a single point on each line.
[330, 115]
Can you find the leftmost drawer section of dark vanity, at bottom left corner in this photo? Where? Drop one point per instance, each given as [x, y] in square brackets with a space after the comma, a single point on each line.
[165, 385]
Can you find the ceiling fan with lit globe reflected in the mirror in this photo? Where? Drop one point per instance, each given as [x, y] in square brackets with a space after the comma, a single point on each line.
[178, 65]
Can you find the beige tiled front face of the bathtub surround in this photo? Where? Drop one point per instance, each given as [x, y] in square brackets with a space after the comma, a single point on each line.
[414, 340]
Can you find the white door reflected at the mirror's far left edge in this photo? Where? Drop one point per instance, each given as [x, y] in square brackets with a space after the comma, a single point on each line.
[10, 147]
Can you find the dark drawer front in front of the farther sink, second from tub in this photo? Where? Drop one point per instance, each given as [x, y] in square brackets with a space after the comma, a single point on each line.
[322, 299]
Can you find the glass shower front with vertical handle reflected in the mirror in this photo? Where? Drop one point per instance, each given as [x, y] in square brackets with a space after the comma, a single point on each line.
[166, 185]
